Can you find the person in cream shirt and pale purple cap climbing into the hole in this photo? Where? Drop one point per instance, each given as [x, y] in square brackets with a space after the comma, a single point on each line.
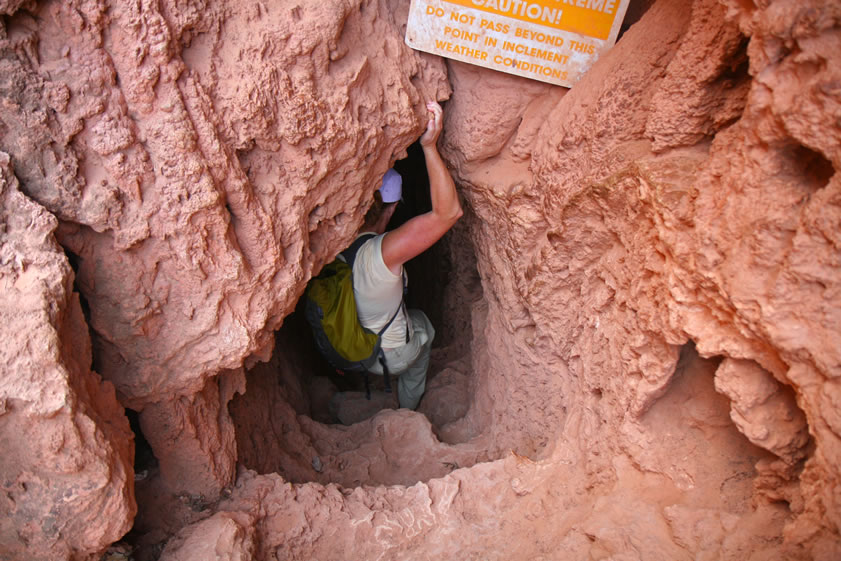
[378, 276]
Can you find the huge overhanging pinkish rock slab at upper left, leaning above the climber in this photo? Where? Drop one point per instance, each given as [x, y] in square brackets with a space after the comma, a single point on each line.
[205, 159]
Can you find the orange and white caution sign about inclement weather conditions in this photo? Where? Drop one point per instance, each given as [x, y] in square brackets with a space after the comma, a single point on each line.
[554, 41]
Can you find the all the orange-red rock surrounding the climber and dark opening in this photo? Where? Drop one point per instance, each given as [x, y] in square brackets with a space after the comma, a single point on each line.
[641, 330]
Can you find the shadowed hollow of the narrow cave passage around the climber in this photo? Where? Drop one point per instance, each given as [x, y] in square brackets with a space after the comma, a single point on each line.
[298, 381]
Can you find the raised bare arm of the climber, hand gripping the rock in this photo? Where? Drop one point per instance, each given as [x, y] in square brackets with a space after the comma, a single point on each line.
[419, 233]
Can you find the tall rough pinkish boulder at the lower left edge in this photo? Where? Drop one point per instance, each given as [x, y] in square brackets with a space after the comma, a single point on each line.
[66, 487]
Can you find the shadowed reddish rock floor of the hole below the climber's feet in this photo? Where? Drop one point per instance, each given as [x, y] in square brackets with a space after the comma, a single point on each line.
[382, 448]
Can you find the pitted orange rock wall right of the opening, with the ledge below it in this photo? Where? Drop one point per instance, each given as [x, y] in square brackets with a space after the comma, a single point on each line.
[659, 258]
